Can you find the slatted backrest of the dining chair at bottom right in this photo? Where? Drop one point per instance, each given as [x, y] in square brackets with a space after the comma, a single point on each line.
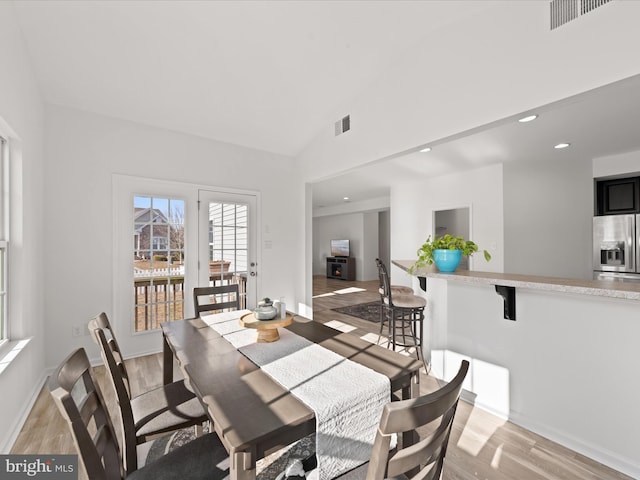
[425, 458]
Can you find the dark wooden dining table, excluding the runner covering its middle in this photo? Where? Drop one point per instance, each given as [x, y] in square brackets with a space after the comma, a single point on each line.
[253, 414]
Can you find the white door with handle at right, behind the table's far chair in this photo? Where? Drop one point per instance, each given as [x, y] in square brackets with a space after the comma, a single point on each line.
[227, 242]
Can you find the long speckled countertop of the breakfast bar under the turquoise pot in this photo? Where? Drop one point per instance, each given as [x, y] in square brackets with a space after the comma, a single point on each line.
[601, 288]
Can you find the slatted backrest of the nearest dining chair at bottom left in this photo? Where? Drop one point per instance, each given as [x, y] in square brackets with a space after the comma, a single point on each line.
[80, 401]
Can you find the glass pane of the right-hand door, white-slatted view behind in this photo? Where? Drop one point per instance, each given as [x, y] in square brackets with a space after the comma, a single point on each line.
[228, 245]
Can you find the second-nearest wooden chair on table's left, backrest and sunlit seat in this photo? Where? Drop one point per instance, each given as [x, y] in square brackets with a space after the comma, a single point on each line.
[163, 409]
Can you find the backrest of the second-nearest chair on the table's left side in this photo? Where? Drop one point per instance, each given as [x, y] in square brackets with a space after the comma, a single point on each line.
[102, 335]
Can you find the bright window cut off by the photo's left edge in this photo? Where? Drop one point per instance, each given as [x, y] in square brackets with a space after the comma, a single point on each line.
[4, 217]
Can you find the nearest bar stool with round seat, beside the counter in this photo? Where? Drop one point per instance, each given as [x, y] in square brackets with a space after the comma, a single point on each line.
[405, 316]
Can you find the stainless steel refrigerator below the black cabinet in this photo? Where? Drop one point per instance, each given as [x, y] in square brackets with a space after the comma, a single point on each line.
[616, 254]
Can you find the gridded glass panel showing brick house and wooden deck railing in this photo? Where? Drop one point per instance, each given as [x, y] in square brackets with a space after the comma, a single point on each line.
[158, 260]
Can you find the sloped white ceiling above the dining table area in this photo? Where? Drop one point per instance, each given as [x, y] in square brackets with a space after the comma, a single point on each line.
[268, 75]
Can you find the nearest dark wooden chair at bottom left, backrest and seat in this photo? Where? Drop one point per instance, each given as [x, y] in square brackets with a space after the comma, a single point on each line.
[81, 403]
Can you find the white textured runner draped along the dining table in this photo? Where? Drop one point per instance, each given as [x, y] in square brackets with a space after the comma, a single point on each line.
[347, 397]
